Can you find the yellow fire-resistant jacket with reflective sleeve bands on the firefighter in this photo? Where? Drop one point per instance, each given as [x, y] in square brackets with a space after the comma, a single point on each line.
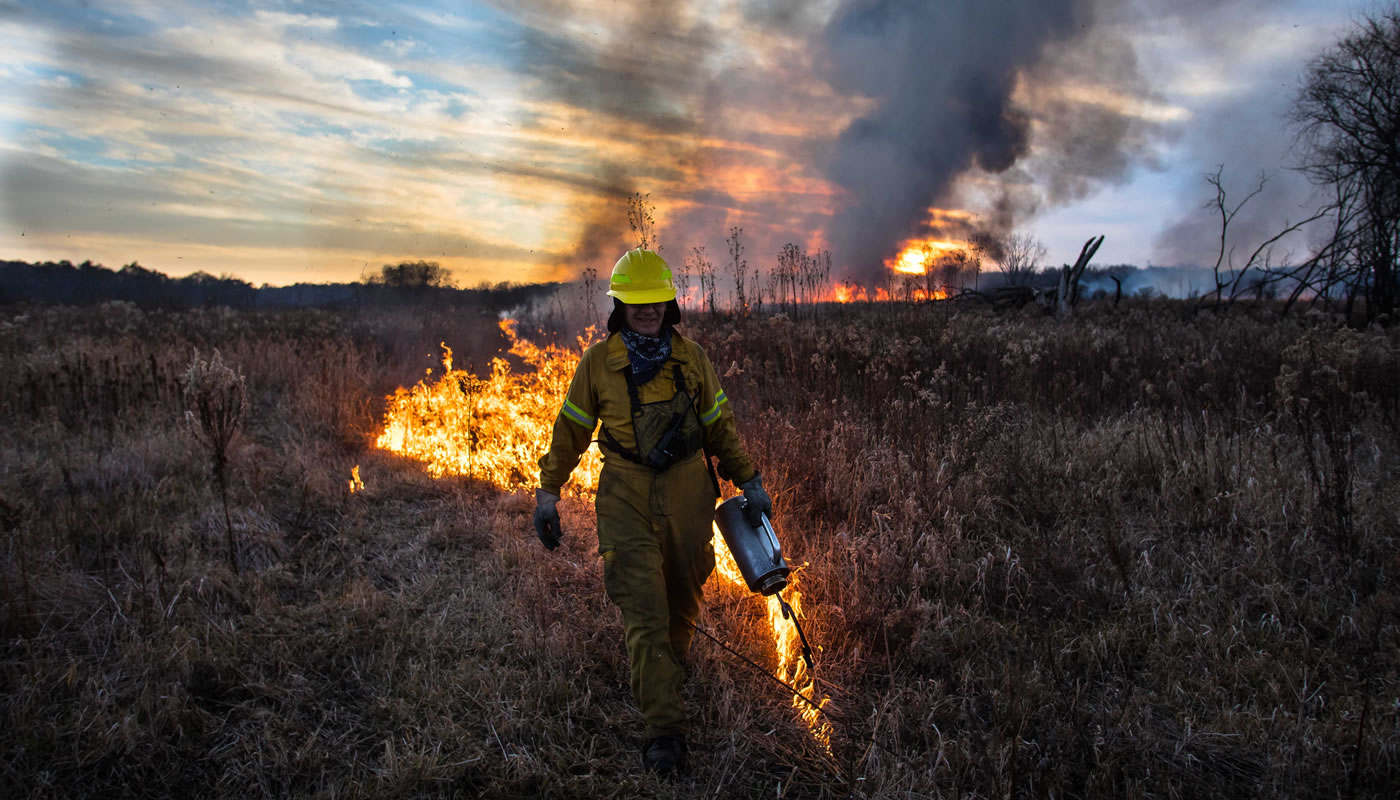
[598, 393]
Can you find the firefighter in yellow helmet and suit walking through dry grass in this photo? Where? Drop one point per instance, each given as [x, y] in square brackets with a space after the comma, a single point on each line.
[663, 415]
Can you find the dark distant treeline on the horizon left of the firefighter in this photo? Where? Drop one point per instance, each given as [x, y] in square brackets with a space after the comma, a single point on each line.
[409, 284]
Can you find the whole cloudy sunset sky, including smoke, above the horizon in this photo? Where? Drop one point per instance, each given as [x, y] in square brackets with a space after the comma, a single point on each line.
[292, 142]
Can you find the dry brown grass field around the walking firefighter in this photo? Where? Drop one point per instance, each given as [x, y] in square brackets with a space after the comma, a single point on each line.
[1142, 554]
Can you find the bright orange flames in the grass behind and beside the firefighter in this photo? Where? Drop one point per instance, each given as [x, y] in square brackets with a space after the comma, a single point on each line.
[496, 429]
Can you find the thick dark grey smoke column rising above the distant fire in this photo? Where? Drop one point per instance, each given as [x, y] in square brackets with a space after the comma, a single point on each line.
[941, 76]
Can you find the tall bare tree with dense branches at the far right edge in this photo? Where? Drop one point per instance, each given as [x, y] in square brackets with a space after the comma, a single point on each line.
[1349, 120]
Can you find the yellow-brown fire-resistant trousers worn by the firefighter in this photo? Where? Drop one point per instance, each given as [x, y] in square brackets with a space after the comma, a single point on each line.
[654, 537]
